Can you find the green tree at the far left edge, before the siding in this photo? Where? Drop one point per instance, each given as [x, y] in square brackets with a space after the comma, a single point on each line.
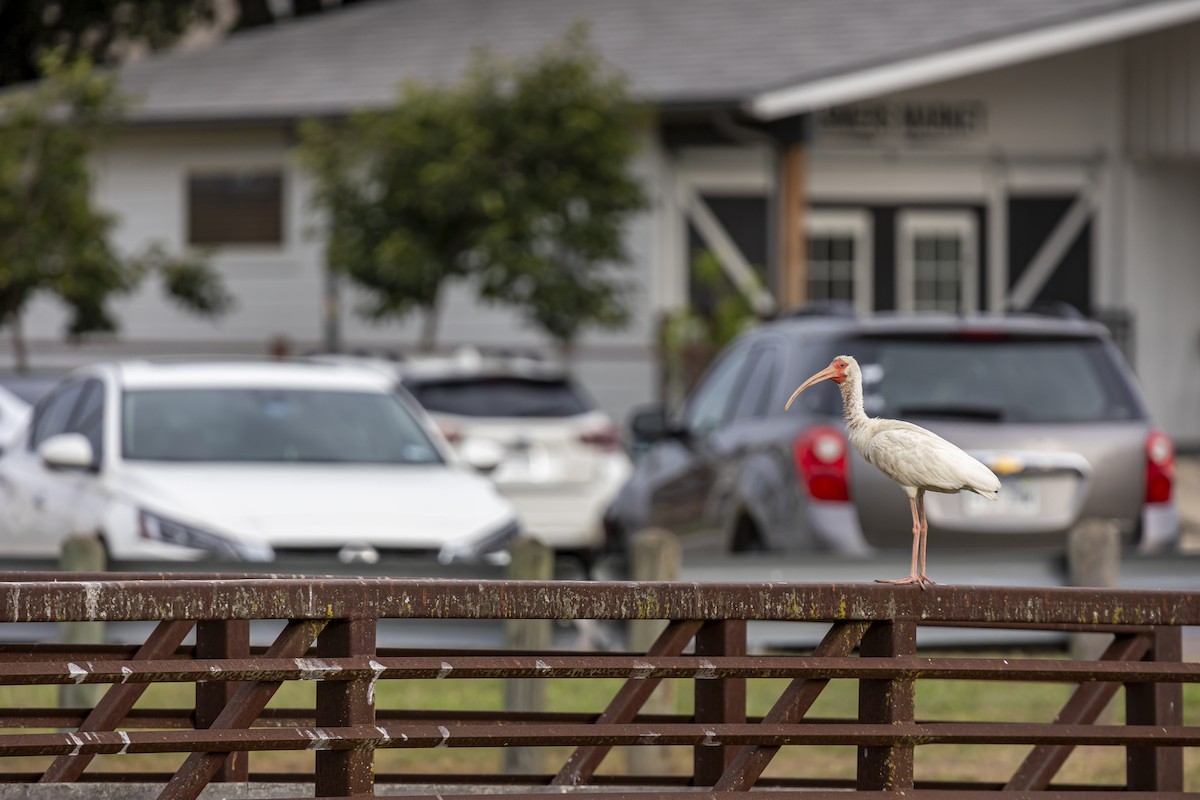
[53, 240]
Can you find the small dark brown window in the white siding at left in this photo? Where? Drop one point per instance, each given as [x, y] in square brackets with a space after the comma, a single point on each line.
[236, 208]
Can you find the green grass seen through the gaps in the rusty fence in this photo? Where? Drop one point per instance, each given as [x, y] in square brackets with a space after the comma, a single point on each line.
[937, 700]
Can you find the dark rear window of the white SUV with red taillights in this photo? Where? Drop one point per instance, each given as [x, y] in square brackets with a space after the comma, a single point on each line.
[500, 398]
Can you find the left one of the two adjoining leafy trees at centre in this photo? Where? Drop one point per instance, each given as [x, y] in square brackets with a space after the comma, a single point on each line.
[407, 200]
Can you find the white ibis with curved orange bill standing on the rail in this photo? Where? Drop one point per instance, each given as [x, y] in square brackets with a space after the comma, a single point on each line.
[917, 460]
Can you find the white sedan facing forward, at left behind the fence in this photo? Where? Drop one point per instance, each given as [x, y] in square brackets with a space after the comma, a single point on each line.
[243, 461]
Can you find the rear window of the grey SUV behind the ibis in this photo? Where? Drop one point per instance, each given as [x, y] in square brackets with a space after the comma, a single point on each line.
[1007, 380]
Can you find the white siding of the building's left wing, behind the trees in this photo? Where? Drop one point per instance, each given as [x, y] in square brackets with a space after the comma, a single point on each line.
[141, 178]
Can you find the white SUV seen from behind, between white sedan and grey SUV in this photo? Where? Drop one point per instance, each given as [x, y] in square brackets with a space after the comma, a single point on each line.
[541, 438]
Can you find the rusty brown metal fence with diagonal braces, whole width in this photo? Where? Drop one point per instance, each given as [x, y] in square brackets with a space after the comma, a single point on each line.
[202, 637]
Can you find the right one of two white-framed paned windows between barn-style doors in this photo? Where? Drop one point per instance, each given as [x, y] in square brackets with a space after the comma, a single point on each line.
[939, 262]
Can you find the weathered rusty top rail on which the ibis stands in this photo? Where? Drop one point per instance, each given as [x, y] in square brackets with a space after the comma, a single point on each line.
[27, 599]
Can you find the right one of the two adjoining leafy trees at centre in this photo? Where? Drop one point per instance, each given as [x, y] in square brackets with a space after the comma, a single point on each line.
[567, 134]
